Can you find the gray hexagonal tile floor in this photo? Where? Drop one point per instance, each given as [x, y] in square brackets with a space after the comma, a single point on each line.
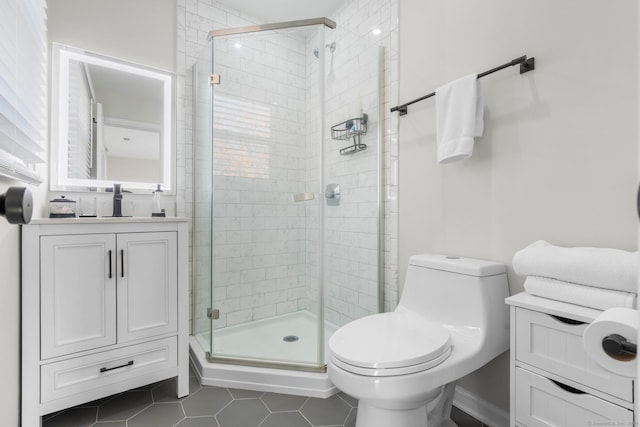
[157, 406]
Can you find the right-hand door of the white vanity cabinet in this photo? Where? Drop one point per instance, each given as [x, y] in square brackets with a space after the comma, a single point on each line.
[147, 285]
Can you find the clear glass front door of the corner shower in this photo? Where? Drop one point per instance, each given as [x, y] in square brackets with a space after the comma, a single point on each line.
[266, 151]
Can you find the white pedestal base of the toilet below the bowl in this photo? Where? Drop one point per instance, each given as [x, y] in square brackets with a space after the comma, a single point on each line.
[434, 413]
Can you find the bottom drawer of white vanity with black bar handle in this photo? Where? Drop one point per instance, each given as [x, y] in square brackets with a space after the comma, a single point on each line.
[72, 376]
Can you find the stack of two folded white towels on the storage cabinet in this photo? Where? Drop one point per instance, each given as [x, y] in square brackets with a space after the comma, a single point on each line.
[599, 278]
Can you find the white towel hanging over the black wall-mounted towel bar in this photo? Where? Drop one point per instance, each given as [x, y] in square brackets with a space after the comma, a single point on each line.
[459, 110]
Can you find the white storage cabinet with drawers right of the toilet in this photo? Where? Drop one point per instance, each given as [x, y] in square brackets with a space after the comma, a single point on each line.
[553, 381]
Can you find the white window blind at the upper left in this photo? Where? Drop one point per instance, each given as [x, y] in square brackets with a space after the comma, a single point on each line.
[23, 88]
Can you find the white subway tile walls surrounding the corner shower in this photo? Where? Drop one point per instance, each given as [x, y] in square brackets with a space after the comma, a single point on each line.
[266, 246]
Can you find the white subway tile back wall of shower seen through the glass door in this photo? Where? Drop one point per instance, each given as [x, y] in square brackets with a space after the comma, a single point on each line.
[259, 145]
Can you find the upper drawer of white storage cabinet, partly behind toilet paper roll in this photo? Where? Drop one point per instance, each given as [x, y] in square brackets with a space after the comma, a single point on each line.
[555, 345]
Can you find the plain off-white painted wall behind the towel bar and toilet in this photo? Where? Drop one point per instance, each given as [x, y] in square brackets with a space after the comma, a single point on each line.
[558, 159]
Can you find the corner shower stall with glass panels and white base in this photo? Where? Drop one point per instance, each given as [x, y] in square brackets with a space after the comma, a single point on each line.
[287, 201]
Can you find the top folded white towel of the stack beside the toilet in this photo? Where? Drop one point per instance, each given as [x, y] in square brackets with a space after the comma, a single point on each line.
[599, 267]
